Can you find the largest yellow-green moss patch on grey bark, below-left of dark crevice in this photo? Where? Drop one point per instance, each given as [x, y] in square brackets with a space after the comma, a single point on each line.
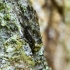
[18, 53]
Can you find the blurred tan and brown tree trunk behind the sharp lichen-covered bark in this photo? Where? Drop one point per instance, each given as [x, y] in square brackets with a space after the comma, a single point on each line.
[54, 27]
